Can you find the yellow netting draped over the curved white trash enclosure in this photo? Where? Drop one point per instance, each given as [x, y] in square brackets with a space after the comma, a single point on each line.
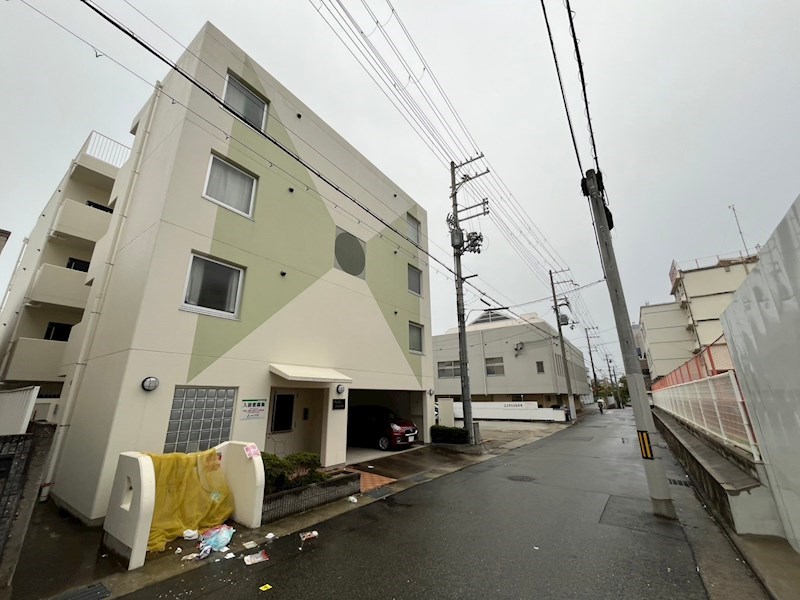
[191, 493]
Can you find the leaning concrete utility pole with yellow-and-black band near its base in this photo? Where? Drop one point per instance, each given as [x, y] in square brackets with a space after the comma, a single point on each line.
[592, 186]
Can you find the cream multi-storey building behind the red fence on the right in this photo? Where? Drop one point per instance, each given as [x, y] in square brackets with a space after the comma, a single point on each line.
[674, 332]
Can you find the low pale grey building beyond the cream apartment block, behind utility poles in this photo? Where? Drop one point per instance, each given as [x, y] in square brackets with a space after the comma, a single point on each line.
[510, 360]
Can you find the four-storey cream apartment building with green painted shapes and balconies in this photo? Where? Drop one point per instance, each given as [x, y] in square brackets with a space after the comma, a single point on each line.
[213, 288]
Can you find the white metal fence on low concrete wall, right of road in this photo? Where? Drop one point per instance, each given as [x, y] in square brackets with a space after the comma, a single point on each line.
[714, 405]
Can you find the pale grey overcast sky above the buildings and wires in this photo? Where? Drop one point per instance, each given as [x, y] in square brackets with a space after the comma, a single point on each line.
[695, 106]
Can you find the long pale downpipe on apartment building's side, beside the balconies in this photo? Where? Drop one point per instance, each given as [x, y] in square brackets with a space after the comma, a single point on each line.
[94, 315]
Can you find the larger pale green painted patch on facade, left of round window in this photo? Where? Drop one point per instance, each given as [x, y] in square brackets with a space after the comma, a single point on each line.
[286, 229]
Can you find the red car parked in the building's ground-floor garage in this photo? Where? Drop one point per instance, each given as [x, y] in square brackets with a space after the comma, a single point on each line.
[378, 426]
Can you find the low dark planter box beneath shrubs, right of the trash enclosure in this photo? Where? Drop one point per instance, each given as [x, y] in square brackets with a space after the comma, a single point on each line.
[292, 502]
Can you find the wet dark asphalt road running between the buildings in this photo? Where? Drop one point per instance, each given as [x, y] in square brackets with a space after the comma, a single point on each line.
[565, 517]
